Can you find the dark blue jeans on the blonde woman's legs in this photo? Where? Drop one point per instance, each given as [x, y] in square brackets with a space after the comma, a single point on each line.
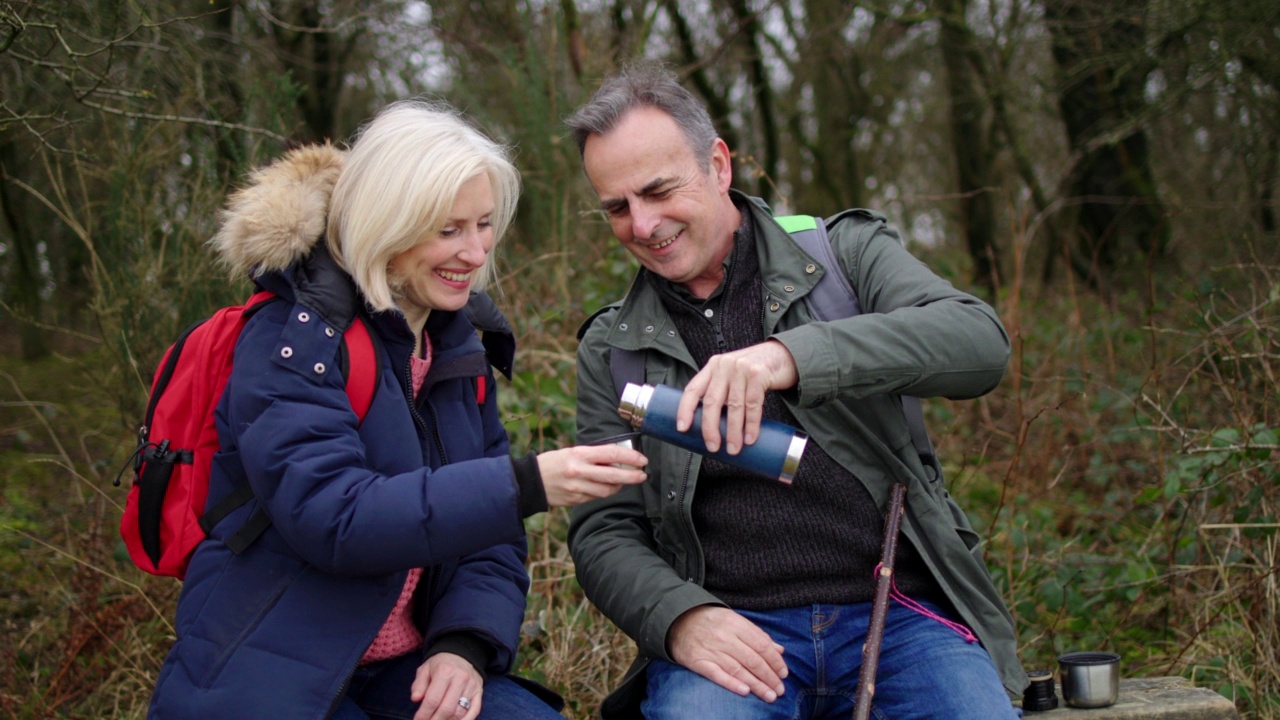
[380, 691]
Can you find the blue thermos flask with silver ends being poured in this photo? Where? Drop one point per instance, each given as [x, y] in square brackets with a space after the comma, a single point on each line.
[652, 411]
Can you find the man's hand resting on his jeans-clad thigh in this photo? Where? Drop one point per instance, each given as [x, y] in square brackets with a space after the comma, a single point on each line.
[729, 650]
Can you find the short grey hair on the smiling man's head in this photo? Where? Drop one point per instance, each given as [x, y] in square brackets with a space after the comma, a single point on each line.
[646, 85]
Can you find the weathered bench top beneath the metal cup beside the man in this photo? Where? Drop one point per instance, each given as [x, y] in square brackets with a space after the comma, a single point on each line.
[1150, 699]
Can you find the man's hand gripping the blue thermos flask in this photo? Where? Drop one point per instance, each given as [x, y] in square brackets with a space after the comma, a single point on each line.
[737, 381]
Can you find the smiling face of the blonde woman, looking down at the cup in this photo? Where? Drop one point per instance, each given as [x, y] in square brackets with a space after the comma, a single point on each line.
[437, 274]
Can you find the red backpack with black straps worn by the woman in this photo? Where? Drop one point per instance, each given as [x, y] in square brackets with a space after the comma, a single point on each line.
[164, 516]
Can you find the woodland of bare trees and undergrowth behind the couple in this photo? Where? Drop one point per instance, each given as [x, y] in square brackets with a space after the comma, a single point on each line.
[1104, 171]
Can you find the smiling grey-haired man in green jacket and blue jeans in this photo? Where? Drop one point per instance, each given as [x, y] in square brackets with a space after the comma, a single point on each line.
[749, 598]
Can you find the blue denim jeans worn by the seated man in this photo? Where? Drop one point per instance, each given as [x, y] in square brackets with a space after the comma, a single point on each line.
[926, 672]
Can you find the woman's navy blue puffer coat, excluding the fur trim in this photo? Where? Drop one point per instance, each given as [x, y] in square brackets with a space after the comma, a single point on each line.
[277, 631]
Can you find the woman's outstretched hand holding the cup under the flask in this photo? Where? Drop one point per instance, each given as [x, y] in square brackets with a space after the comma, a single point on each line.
[573, 476]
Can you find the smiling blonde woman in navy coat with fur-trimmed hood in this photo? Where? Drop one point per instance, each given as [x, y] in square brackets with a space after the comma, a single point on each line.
[391, 581]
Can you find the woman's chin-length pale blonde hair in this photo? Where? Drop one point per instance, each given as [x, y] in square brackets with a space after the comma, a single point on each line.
[400, 181]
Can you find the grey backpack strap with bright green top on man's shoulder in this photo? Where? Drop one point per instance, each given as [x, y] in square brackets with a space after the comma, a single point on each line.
[834, 299]
